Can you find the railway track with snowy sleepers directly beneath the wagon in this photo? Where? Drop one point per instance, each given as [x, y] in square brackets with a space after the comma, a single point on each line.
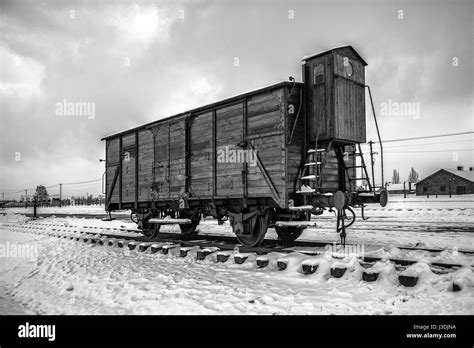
[272, 253]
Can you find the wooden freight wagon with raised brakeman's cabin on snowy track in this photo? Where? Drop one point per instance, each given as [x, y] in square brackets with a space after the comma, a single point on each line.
[254, 158]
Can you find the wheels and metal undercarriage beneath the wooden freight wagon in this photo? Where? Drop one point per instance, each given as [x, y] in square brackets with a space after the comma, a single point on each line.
[250, 223]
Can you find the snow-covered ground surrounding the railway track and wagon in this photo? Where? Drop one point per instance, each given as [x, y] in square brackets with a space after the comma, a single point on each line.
[68, 277]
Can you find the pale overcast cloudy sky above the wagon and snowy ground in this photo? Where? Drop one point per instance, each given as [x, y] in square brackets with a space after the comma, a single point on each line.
[141, 61]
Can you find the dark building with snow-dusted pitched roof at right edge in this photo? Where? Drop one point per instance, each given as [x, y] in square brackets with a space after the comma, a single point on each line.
[447, 181]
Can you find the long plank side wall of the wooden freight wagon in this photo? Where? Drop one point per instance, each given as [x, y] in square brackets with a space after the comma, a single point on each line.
[167, 152]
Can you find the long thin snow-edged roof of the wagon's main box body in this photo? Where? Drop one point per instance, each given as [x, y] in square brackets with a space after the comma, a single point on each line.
[208, 106]
